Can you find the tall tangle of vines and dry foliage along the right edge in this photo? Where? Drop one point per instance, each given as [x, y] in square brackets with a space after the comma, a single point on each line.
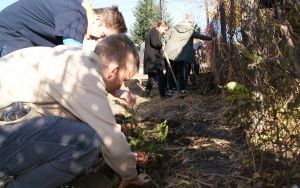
[266, 62]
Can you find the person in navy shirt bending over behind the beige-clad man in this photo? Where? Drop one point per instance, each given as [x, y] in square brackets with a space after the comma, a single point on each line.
[29, 23]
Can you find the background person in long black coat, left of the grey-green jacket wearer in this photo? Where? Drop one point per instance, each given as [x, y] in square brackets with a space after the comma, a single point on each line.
[153, 59]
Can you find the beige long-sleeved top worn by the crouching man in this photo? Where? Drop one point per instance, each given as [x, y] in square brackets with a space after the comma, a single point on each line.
[64, 81]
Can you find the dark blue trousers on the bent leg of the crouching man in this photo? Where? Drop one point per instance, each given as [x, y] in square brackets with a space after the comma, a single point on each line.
[46, 151]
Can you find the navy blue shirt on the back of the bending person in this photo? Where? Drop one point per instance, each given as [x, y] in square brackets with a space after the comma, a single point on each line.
[42, 23]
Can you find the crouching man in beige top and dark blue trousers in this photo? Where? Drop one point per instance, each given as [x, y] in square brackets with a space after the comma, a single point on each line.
[62, 119]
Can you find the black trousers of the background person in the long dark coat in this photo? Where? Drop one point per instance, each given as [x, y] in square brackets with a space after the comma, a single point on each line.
[159, 76]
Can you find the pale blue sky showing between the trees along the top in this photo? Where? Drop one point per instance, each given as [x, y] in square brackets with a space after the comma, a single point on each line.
[176, 8]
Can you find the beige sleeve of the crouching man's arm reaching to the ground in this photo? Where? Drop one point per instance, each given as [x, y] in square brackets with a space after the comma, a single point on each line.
[81, 90]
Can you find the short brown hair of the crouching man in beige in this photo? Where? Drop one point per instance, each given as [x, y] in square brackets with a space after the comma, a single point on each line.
[117, 48]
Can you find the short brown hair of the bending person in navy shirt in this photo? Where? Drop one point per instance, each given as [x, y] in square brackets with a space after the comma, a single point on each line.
[111, 17]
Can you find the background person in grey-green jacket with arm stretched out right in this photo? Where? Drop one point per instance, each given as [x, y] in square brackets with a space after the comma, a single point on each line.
[179, 48]
